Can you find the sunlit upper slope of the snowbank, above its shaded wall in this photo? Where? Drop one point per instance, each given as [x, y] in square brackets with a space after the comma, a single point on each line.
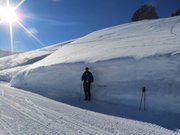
[136, 40]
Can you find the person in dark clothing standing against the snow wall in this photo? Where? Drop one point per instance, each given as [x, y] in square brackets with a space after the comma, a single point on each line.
[88, 78]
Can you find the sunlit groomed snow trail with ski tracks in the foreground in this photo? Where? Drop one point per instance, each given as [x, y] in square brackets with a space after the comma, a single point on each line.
[25, 113]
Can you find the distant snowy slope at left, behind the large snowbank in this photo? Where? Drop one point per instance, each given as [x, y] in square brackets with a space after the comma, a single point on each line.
[11, 65]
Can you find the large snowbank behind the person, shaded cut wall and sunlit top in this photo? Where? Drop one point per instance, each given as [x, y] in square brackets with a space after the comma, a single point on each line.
[123, 59]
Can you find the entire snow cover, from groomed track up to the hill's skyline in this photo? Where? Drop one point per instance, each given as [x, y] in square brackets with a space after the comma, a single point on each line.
[123, 59]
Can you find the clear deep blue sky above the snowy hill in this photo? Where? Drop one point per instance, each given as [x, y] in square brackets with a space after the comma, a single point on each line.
[54, 21]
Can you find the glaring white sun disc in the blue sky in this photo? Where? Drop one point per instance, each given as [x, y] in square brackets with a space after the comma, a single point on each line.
[8, 14]
